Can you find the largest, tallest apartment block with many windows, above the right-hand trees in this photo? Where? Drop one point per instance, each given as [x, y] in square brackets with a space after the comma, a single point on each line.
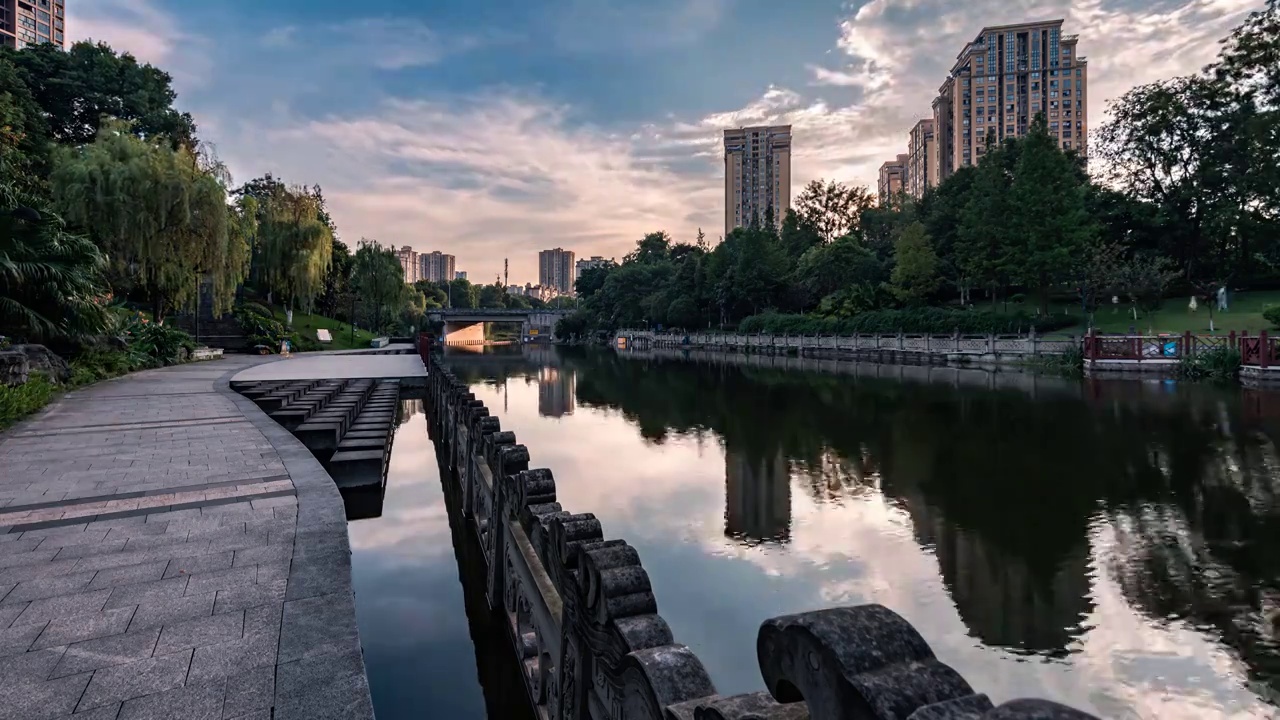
[1002, 80]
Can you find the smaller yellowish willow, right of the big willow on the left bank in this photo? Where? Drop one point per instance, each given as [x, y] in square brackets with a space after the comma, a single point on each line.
[294, 245]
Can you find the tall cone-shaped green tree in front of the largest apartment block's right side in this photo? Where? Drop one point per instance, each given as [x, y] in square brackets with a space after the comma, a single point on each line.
[1052, 225]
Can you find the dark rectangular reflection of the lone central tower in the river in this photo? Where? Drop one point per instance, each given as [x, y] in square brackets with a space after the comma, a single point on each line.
[757, 498]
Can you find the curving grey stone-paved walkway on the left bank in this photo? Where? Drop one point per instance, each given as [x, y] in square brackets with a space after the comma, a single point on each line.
[167, 552]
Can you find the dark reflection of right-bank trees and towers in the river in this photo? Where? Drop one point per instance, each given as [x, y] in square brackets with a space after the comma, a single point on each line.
[1022, 495]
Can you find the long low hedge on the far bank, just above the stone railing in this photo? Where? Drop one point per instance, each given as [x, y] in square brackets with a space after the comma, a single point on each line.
[925, 321]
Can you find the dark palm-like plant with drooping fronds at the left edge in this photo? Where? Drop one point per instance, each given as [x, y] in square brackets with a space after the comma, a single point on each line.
[51, 280]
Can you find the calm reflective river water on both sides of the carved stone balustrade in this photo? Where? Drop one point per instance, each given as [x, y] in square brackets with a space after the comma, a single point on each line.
[1110, 545]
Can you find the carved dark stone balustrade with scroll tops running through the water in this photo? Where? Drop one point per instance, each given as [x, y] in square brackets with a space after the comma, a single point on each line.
[592, 645]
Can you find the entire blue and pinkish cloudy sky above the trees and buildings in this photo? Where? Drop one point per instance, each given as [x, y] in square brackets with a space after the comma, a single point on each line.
[496, 129]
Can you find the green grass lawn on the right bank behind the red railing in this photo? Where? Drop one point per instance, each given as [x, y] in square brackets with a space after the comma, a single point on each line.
[1245, 313]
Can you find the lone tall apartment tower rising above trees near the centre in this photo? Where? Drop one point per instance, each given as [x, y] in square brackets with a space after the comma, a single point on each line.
[757, 176]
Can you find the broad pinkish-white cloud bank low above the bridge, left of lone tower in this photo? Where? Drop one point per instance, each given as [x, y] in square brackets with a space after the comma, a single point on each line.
[487, 179]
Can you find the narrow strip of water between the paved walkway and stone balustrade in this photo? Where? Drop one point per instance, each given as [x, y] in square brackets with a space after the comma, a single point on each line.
[432, 649]
